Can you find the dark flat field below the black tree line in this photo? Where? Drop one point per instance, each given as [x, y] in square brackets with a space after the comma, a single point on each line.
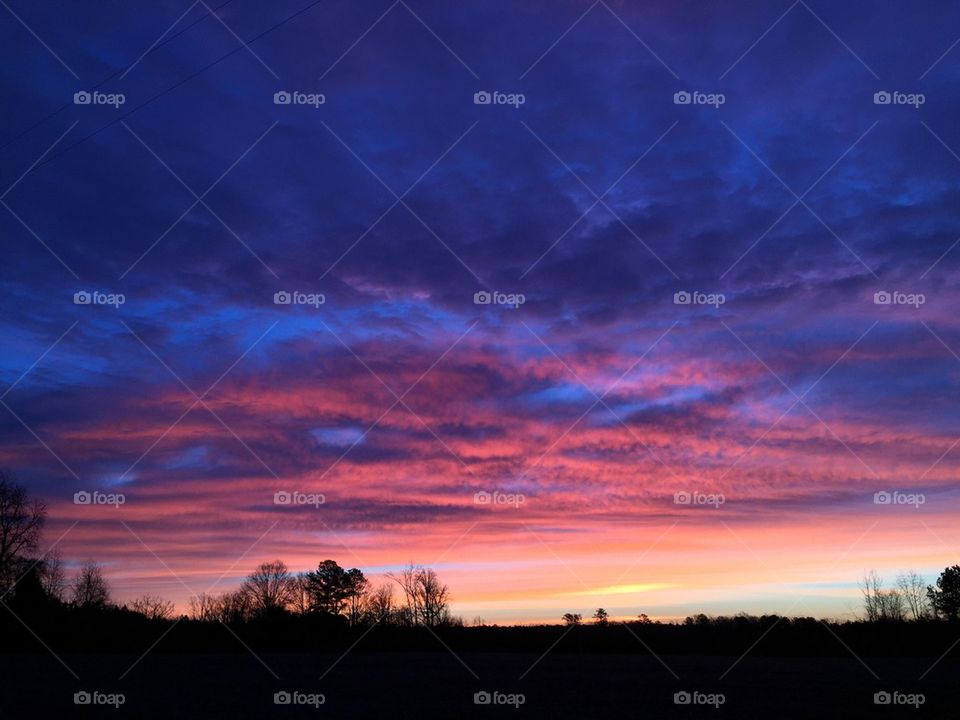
[439, 685]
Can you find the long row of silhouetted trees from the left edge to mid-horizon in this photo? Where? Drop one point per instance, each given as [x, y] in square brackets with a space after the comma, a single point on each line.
[271, 589]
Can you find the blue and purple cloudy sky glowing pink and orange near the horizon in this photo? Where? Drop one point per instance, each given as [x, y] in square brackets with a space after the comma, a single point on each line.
[719, 244]
